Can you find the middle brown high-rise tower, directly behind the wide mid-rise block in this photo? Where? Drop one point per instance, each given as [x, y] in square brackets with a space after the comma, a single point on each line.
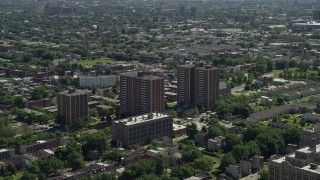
[141, 94]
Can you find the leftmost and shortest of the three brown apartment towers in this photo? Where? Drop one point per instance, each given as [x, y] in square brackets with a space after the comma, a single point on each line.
[72, 105]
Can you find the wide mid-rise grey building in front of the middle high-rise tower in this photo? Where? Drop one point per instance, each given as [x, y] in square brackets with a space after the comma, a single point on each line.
[138, 129]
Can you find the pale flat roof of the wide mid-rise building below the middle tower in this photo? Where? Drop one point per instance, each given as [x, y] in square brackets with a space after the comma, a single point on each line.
[141, 118]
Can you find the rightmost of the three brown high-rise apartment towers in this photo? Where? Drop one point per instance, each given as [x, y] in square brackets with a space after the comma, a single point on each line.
[198, 85]
